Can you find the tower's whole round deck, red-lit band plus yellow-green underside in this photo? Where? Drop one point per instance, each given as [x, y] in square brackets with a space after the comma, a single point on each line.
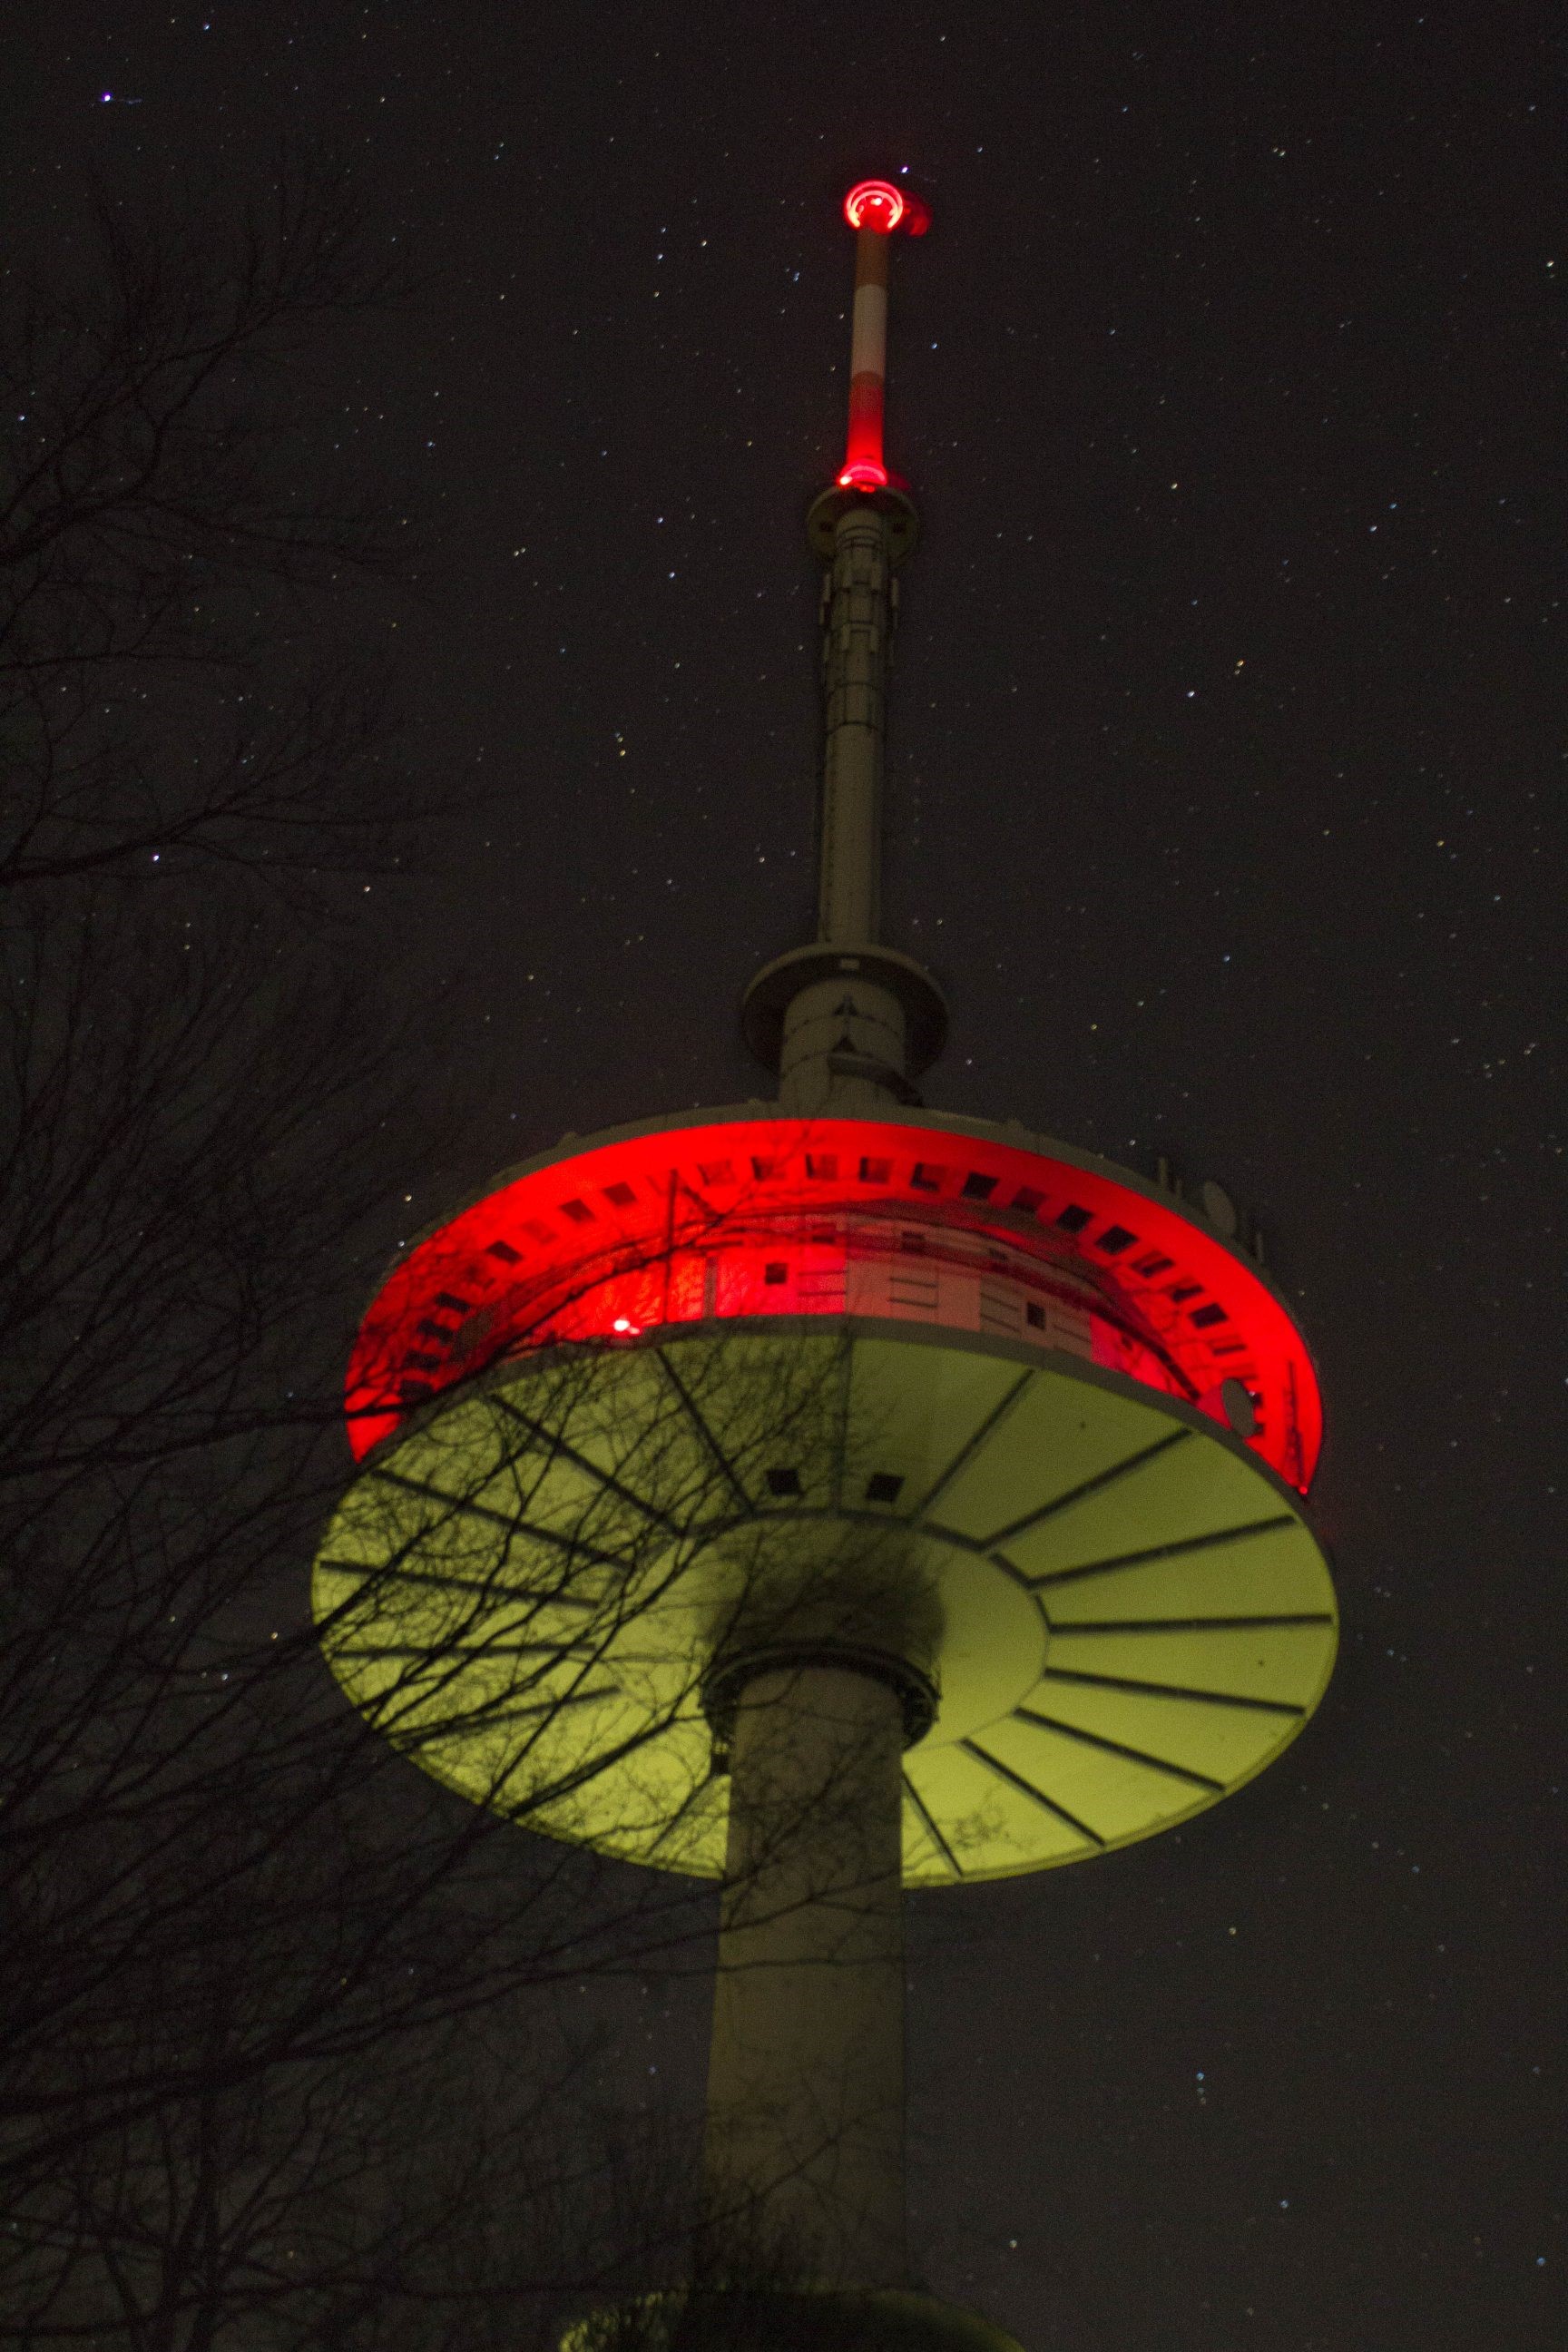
[1043, 1405]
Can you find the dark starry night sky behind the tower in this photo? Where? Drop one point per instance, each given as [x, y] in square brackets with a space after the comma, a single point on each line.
[1226, 799]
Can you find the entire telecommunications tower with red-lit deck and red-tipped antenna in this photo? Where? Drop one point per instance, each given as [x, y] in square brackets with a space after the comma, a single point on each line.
[833, 1497]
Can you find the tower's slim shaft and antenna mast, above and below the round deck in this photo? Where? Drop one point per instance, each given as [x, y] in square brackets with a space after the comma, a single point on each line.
[805, 2087]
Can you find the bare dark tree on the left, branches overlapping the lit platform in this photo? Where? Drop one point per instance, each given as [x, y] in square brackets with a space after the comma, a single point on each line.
[239, 1935]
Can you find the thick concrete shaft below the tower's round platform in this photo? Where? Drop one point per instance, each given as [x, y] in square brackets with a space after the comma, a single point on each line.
[805, 2087]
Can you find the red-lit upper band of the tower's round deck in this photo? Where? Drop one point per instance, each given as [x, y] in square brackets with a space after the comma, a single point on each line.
[749, 1217]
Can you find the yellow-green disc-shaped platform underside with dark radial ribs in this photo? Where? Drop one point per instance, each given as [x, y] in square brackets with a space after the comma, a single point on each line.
[1123, 1608]
